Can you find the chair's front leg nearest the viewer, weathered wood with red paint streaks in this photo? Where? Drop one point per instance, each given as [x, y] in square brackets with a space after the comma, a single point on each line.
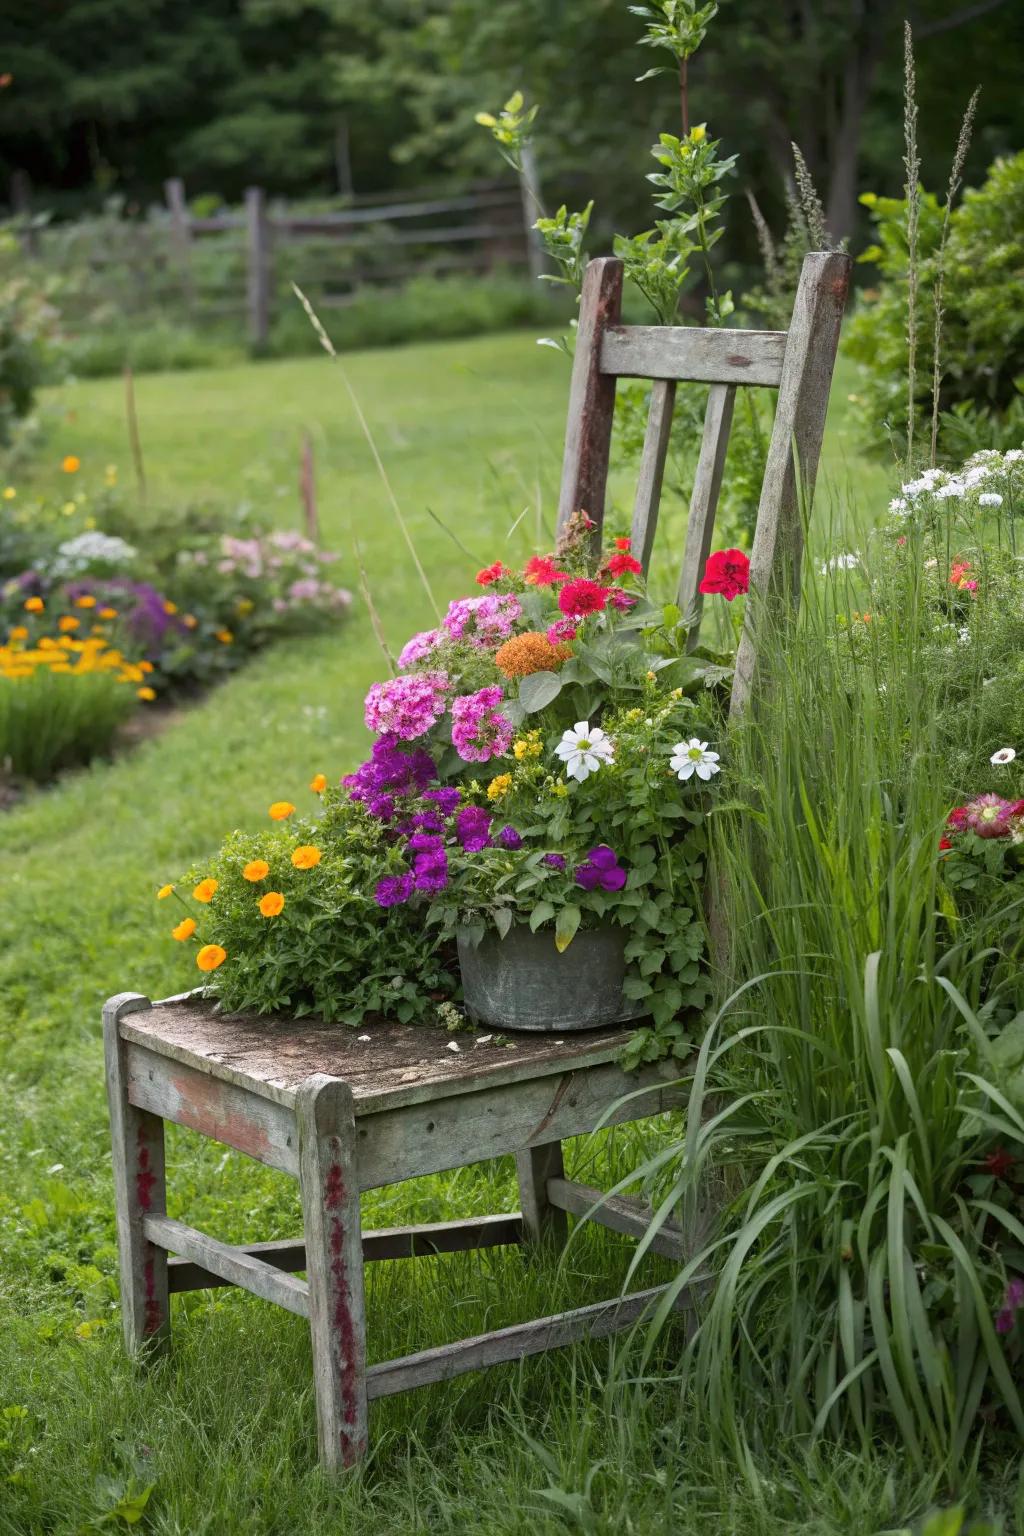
[334, 1266]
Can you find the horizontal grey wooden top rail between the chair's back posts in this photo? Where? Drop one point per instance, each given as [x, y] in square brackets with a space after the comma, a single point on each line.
[695, 356]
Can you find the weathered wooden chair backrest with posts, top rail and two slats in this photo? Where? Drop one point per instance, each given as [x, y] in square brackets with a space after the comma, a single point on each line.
[798, 363]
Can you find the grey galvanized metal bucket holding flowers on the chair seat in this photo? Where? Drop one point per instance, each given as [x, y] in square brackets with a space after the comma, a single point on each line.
[523, 982]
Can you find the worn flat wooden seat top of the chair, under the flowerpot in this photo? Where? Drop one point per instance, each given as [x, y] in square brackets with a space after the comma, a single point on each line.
[385, 1064]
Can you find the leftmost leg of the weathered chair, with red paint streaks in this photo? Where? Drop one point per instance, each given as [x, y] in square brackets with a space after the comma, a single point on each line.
[137, 1140]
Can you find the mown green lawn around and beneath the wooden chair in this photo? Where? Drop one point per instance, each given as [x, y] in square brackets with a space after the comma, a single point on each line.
[225, 1431]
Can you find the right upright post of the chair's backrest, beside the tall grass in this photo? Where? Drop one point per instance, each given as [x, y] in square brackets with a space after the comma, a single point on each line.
[793, 455]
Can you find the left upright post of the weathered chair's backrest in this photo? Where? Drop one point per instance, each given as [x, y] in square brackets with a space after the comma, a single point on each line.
[592, 400]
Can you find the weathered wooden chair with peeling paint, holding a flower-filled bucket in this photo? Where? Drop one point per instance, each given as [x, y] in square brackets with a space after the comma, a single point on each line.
[346, 1116]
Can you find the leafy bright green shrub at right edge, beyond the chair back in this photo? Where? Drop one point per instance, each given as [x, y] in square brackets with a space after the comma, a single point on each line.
[983, 331]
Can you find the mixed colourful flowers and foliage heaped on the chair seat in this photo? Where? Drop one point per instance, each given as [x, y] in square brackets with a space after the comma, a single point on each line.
[543, 760]
